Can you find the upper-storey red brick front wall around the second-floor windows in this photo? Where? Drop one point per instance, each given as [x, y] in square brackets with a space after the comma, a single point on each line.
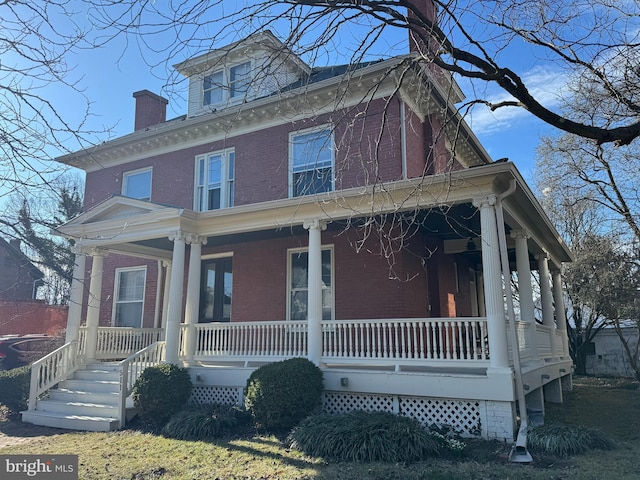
[262, 159]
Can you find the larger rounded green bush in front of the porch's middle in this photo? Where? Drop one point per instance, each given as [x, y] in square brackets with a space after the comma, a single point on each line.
[281, 394]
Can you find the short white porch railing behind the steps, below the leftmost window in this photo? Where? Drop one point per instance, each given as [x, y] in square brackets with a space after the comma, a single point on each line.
[120, 342]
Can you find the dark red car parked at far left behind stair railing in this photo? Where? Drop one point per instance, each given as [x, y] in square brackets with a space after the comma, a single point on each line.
[19, 350]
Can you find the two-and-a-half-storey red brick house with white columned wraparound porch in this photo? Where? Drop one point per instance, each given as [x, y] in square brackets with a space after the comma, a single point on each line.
[344, 214]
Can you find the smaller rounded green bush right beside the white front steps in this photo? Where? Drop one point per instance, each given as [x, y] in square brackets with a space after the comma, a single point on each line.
[160, 391]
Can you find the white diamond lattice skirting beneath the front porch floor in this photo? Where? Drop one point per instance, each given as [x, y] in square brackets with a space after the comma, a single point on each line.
[464, 417]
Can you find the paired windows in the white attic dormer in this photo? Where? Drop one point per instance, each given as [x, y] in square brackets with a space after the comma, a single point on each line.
[227, 84]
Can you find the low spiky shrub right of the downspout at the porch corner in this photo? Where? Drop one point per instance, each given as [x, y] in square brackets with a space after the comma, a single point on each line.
[565, 440]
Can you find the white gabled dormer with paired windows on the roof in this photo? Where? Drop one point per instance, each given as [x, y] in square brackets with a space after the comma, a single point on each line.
[255, 67]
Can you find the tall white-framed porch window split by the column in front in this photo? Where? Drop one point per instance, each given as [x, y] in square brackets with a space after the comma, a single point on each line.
[298, 274]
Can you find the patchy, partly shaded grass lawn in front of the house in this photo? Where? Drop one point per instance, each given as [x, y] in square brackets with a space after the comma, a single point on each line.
[610, 405]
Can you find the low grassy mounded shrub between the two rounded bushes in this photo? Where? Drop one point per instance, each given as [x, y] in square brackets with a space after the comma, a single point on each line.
[203, 422]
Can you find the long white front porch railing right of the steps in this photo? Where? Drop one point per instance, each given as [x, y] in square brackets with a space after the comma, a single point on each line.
[352, 341]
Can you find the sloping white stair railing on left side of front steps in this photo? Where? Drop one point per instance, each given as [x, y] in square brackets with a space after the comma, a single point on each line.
[52, 369]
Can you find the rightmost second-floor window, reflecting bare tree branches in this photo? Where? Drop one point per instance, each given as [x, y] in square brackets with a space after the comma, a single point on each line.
[311, 162]
